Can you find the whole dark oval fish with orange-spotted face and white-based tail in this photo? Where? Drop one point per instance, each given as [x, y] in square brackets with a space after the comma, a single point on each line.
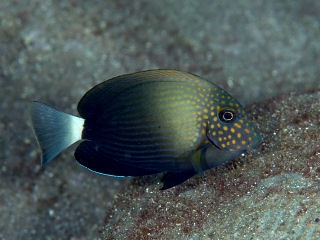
[148, 122]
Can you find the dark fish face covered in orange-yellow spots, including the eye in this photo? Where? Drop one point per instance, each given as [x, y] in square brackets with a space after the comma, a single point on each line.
[229, 127]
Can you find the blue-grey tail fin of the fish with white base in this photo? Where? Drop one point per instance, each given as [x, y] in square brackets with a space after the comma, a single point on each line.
[55, 130]
